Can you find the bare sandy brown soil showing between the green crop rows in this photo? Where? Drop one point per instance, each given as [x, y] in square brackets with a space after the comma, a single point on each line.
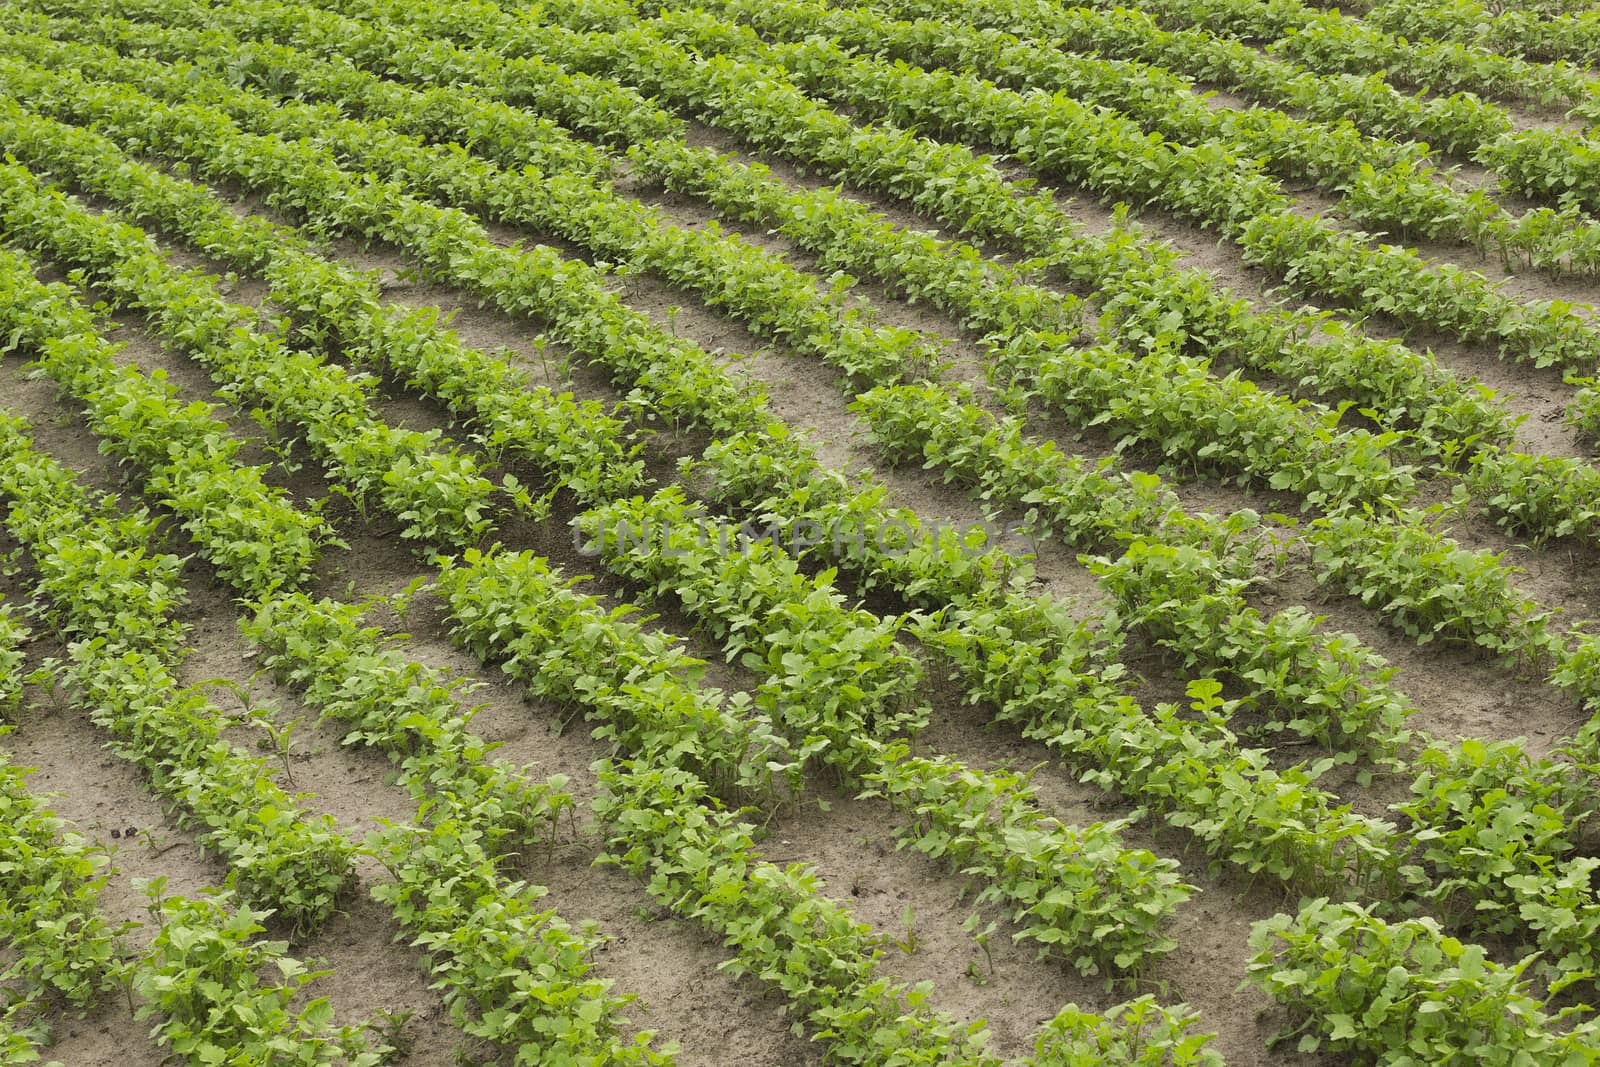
[673, 967]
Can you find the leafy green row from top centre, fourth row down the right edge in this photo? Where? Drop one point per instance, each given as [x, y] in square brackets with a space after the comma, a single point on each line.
[1380, 183]
